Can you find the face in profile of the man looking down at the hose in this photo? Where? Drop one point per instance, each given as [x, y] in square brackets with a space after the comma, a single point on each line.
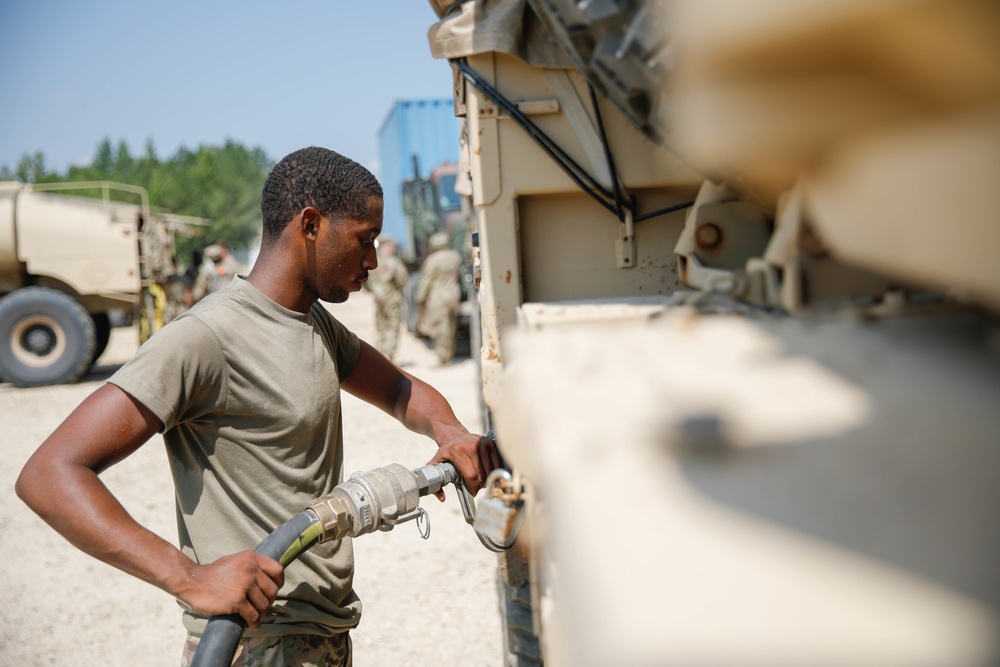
[345, 253]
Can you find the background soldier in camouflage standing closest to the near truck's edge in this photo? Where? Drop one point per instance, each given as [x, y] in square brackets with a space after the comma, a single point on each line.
[439, 294]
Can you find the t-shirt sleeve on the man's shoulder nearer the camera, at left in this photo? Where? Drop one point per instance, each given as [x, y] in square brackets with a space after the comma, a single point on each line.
[179, 373]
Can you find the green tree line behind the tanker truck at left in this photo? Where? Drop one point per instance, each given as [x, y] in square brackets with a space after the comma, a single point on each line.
[219, 183]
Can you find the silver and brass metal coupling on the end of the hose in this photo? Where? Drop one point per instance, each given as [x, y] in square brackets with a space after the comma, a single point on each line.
[380, 499]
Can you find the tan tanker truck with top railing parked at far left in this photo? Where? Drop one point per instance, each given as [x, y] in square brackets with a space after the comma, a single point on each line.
[67, 263]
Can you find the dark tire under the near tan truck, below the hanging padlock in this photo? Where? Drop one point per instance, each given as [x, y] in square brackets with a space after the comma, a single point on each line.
[520, 643]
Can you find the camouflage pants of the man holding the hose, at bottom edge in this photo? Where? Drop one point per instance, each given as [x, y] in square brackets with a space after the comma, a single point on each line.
[288, 651]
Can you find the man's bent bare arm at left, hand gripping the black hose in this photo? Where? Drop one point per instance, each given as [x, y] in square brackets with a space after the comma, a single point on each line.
[60, 483]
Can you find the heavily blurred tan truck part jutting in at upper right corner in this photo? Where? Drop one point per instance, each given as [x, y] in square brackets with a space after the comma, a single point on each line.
[885, 116]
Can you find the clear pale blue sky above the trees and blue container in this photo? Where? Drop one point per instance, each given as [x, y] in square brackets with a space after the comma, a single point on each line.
[276, 74]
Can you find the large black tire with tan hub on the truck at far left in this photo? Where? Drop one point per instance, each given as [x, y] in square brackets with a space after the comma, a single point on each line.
[46, 337]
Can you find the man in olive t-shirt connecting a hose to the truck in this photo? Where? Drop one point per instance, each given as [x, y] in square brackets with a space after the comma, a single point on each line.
[245, 388]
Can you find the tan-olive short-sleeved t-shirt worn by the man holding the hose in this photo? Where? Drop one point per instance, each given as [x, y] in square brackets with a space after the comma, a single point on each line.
[249, 396]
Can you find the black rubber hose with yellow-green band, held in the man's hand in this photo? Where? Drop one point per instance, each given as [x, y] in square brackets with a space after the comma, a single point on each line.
[223, 632]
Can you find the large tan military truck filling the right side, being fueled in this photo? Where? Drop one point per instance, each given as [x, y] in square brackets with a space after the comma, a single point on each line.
[740, 279]
